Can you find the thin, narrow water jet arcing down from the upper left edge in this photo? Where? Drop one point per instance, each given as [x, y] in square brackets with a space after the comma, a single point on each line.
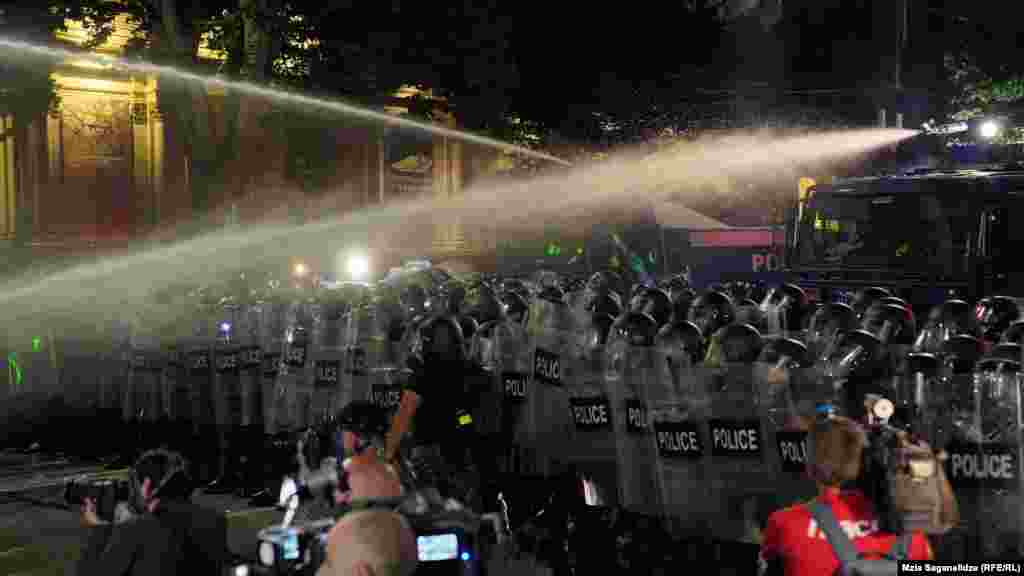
[22, 48]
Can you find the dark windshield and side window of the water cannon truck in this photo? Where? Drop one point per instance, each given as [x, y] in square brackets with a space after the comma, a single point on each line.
[900, 231]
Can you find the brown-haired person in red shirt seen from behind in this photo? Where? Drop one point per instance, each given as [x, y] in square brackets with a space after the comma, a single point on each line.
[793, 545]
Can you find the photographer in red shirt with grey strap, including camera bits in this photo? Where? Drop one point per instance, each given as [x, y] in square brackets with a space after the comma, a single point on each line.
[841, 531]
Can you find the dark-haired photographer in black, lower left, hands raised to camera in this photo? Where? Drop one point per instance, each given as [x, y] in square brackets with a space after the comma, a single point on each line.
[167, 534]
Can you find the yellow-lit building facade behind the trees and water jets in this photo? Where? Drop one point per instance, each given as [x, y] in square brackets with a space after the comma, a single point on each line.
[107, 167]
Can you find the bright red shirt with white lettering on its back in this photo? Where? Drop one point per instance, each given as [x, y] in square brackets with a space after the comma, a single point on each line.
[794, 545]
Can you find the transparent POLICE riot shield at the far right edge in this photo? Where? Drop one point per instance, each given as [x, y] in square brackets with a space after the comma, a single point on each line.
[985, 459]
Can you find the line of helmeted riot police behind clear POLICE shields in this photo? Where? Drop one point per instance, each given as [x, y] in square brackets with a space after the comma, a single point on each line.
[676, 402]
